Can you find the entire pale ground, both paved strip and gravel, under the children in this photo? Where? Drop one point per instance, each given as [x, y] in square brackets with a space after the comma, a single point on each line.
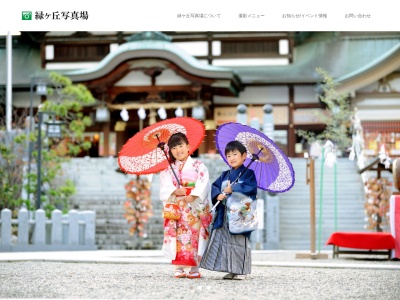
[145, 274]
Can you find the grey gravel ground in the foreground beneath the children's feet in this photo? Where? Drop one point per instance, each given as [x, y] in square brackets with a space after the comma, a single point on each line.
[58, 280]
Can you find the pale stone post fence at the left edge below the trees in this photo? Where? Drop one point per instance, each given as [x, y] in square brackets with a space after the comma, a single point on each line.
[31, 231]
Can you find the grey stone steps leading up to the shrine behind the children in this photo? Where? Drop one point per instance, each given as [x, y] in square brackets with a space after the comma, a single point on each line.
[101, 188]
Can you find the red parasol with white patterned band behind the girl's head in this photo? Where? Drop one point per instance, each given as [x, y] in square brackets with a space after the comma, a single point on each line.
[146, 152]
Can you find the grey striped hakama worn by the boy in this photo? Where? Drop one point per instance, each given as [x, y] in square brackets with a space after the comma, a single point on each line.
[226, 252]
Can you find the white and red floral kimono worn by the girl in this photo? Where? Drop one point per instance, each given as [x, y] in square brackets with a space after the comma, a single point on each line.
[185, 239]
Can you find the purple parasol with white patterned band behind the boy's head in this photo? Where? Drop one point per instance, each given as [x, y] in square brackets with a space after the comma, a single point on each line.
[273, 170]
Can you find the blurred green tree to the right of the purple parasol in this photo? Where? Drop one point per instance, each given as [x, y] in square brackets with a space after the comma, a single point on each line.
[337, 116]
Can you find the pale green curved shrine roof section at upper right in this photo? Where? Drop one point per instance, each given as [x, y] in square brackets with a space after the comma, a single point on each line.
[340, 57]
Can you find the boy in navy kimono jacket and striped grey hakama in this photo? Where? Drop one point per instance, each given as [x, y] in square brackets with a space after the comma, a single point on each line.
[226, 252]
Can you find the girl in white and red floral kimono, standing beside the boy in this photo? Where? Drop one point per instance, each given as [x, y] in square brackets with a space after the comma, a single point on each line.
[185, 239]
